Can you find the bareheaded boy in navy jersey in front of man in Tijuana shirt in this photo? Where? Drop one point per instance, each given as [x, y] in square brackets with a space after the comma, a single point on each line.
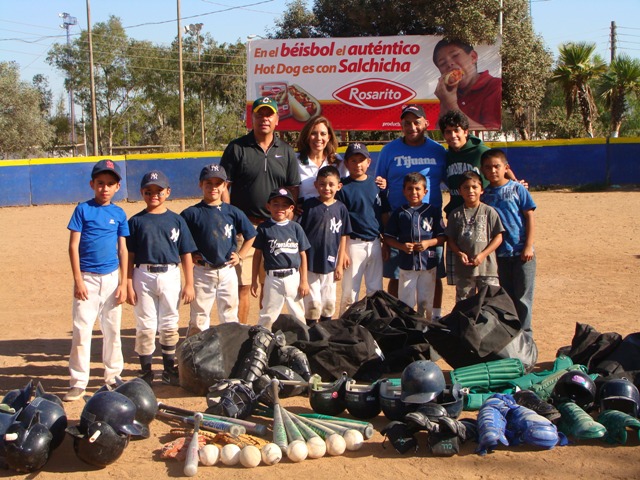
[415, 229]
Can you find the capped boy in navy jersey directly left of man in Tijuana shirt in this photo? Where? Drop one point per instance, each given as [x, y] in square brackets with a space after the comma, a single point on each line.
[368, 211]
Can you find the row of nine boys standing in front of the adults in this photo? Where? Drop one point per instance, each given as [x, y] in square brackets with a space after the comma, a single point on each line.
[337, 237]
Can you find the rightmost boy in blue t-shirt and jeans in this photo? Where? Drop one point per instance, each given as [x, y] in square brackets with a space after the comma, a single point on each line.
[516, 256]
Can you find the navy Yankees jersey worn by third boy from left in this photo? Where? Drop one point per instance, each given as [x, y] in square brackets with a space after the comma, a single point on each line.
[214, 230]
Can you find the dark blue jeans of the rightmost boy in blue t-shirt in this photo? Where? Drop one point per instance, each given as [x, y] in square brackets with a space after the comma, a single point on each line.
[518, 278]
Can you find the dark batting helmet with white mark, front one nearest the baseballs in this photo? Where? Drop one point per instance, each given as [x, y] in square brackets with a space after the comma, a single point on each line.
[100, 446]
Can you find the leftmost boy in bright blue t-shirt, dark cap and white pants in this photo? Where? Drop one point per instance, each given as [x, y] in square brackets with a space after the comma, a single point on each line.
[98, 255]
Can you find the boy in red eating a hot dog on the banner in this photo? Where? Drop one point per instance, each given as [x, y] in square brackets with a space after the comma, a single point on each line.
[462, 87]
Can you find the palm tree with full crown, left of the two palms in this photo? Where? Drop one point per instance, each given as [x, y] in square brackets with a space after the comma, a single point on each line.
[577, 68]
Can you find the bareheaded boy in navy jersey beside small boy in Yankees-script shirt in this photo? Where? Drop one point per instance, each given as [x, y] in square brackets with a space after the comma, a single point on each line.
[326, 223]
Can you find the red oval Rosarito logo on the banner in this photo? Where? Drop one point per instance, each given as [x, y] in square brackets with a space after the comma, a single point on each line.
[374, 94]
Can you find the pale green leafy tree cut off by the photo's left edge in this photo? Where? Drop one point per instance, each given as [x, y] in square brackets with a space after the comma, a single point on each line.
[24, 128]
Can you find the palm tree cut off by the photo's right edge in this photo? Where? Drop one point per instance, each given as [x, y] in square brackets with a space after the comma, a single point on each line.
[622, 80]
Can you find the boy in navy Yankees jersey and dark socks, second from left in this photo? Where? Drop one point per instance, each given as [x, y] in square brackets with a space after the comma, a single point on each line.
[159, 241]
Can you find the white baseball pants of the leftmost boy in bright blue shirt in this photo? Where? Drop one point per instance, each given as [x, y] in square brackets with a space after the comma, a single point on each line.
[101, 305]
